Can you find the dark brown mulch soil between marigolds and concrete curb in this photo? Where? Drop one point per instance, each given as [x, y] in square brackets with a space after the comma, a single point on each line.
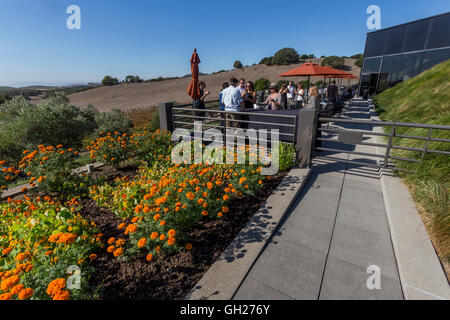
[169, 277]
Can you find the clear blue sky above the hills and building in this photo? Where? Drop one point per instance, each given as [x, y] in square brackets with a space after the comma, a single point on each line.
[152, 38]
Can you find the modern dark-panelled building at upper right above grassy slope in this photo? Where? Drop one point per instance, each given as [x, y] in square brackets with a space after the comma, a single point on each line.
[395, 54]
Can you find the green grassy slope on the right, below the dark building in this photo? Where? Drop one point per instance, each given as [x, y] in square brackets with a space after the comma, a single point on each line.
[425, 99]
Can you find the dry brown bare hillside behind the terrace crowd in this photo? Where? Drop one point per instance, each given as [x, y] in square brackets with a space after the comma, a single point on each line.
[141, 95]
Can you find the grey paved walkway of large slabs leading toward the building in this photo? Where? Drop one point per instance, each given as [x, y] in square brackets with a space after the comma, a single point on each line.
[335, 231]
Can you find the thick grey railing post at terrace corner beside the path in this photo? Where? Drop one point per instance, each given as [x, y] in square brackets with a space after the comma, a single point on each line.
[305, 136]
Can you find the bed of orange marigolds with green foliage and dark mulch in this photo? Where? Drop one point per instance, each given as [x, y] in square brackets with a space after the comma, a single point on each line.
[150, 234]
